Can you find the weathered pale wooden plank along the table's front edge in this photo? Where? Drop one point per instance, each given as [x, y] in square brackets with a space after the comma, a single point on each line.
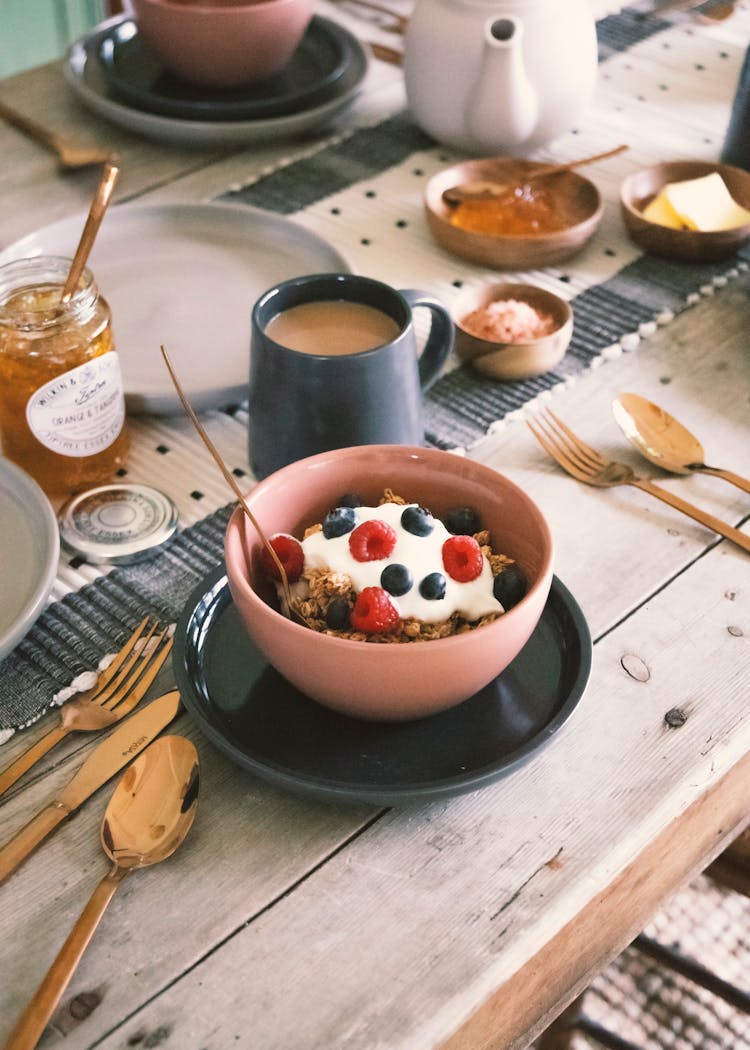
[402, 936]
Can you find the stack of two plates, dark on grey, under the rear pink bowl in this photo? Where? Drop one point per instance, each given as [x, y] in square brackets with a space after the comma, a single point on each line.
[113, 73]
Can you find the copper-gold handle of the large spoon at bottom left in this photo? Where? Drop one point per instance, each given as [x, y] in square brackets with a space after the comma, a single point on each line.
[34, 1020]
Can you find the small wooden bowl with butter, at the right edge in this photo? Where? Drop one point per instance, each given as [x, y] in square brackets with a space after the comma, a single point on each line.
[692, 194]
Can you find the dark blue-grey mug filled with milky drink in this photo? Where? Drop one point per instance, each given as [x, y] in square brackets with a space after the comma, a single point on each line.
[328, 395]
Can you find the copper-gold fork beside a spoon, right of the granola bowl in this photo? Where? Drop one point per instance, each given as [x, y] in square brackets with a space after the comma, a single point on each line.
[586, 465]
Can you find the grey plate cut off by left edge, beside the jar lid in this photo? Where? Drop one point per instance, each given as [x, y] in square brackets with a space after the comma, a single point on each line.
[30, 548]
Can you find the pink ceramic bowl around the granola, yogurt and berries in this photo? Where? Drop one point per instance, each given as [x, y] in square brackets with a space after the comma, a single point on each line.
[381, 682]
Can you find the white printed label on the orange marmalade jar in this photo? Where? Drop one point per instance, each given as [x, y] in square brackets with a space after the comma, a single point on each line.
[81, 412]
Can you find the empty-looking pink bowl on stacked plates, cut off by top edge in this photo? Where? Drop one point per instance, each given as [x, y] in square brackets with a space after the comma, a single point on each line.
[223, 46]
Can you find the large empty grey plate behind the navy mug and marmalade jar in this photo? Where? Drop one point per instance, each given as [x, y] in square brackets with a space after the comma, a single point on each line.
[186, 277]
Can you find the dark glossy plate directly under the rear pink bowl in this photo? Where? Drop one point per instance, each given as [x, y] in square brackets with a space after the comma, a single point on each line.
[322, 67]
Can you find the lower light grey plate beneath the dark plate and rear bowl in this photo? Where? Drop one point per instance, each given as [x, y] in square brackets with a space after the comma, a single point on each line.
[84, 73]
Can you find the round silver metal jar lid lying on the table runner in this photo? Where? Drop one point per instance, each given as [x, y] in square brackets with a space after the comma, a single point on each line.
[118, 524]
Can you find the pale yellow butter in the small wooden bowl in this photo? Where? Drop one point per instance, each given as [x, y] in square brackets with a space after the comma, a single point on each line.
[698, 204]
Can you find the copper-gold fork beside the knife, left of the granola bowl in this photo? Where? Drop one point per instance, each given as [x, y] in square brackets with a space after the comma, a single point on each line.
[118, 690]
